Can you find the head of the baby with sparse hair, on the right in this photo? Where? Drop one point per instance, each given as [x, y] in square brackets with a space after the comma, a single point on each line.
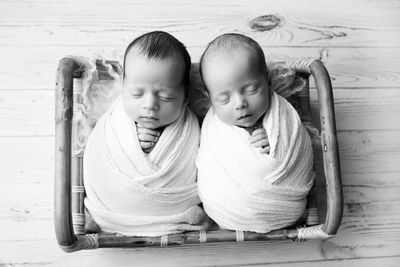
[235, 74]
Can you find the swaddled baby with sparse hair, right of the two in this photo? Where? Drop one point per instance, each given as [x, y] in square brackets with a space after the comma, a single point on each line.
[255, 162]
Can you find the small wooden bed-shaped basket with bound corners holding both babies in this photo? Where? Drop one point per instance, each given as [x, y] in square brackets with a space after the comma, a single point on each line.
[69, 190]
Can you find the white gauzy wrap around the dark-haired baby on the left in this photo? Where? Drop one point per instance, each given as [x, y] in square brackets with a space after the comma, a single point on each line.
[134, 193]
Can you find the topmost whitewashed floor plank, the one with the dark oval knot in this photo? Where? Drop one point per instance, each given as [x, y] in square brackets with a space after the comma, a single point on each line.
[195, 22]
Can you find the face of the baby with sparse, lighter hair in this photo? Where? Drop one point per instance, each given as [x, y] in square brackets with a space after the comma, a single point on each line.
[238, 90]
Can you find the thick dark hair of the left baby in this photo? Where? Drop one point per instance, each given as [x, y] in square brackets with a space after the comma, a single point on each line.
[161, 45]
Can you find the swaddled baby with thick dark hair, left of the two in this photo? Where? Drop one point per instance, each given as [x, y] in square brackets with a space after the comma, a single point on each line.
[139, 161]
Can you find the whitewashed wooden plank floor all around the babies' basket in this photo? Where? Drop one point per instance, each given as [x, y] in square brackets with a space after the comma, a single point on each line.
[357, 40]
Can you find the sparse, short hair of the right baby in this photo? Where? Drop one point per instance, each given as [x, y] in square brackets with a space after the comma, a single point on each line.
[232, 41]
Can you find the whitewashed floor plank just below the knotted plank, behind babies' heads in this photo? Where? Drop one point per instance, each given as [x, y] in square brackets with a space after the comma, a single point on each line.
[353, 68]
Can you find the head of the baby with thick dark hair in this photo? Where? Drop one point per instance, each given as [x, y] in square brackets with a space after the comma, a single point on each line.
[155, 79]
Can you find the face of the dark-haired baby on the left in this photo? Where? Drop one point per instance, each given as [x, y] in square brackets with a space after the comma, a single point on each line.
[153, 90]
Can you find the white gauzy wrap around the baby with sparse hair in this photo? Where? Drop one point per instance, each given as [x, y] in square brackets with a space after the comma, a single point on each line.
[242, 189]
